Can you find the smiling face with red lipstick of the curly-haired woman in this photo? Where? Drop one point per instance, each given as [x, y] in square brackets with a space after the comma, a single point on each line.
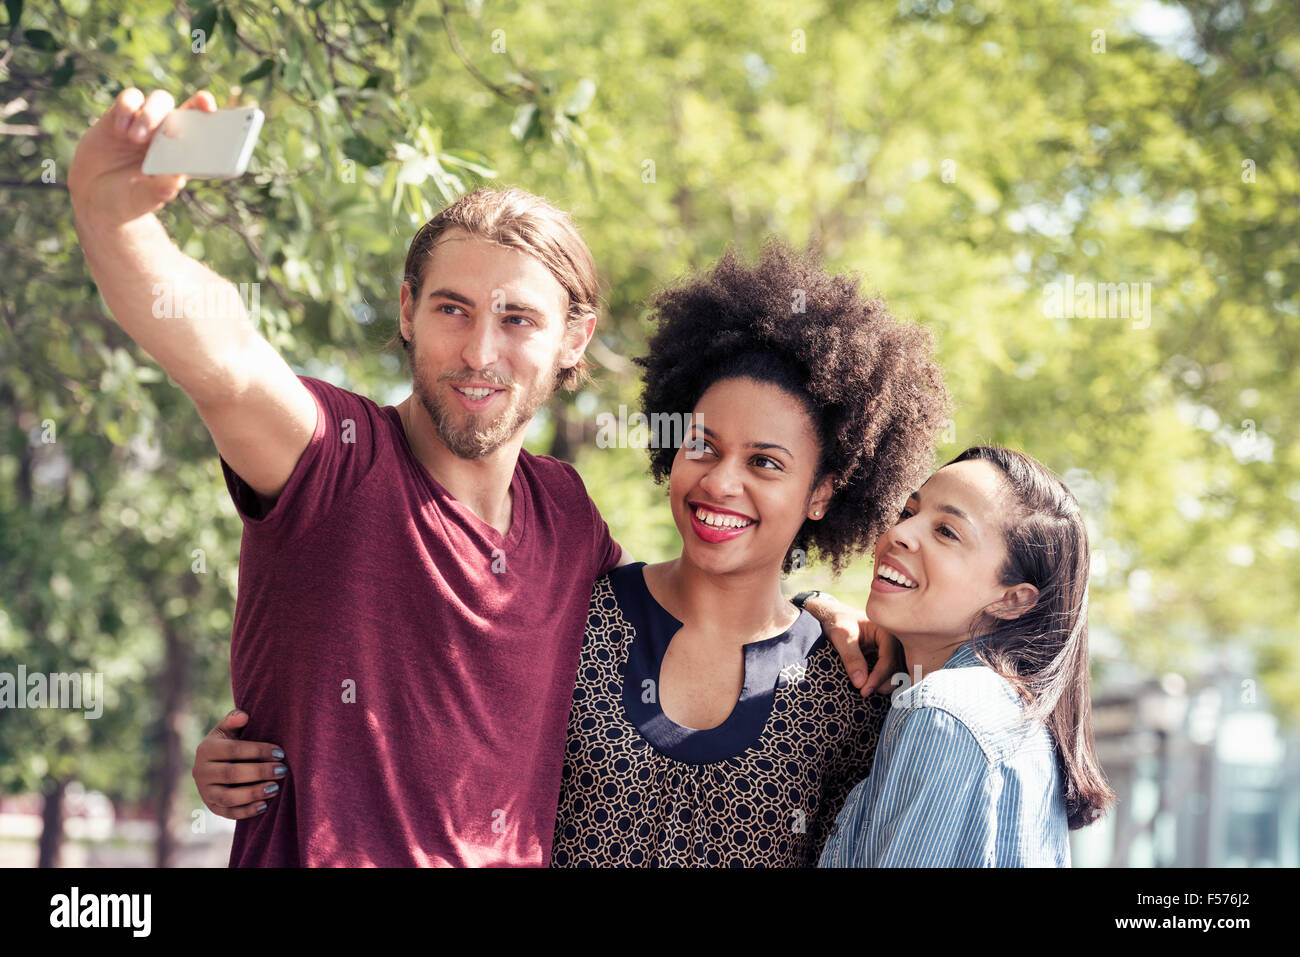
[740, 483]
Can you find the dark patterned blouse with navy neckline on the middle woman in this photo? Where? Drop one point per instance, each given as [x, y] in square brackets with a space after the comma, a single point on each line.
[761, 790]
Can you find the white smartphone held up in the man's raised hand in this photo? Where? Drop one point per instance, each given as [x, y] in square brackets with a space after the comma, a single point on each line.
[213, 146]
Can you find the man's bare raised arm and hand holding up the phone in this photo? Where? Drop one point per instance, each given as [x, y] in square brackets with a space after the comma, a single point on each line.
[261, 415]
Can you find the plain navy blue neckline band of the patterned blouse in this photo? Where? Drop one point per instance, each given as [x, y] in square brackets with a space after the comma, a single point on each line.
[765, 660]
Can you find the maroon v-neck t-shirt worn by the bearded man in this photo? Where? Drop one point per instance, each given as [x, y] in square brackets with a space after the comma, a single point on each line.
[415, 665]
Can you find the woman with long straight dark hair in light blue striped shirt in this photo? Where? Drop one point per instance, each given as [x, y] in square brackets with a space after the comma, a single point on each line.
[986, 759]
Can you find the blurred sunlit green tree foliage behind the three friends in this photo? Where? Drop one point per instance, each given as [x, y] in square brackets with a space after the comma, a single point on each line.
[961, 157]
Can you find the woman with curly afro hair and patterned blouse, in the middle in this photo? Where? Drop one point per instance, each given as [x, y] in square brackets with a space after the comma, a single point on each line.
[713, 724]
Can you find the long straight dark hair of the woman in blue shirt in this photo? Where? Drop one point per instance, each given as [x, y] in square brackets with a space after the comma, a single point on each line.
[1045, 652]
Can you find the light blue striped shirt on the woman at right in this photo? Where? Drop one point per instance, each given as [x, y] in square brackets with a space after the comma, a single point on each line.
[957, 782]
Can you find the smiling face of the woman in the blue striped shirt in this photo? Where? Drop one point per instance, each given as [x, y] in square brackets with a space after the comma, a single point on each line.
[944, 557]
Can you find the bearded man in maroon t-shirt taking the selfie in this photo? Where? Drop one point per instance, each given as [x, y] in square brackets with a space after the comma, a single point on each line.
[413, 584]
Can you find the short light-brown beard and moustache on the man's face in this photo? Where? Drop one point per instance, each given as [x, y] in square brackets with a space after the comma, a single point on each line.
[478, 438]
